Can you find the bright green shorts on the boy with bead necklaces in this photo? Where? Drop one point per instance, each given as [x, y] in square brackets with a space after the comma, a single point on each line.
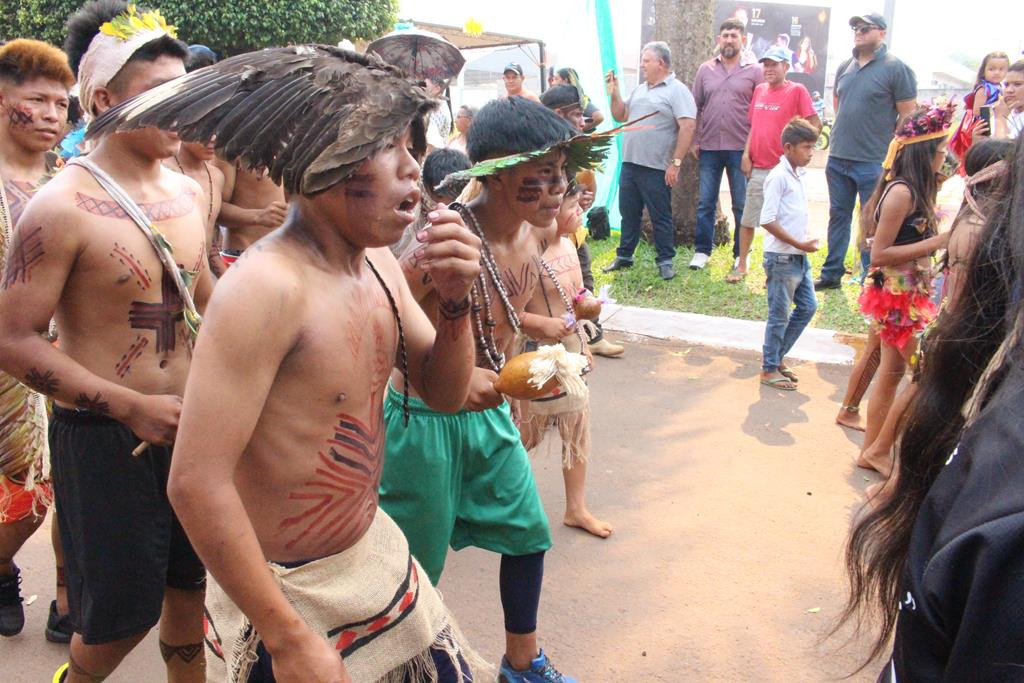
[460, 480]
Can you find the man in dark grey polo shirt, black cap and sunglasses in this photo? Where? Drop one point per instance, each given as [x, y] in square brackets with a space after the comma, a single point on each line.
[873, 91]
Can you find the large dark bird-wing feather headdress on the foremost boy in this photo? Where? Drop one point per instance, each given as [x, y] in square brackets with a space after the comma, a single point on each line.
[309, 115]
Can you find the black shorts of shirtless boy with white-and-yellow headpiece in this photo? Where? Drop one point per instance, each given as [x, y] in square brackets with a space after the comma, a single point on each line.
[122, 542]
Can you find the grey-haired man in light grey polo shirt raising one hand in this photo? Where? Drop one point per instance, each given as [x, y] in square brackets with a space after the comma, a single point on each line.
[652, 157]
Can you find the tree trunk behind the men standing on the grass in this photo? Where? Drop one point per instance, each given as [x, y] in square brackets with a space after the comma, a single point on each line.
[688, 26]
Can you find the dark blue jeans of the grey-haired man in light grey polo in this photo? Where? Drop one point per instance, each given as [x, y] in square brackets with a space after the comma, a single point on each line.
[642, 187]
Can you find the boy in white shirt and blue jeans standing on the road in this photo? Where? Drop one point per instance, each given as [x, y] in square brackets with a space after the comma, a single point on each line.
[784, 216]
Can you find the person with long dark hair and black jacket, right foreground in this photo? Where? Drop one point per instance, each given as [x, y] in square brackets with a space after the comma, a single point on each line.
[942, 562]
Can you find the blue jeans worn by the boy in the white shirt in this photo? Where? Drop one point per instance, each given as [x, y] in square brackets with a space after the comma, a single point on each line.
[789, 283]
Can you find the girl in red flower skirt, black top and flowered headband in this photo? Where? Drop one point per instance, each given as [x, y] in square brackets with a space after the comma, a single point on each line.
[901, 225]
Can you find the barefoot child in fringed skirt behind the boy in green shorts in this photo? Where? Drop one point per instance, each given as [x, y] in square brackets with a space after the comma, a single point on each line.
[561, 281]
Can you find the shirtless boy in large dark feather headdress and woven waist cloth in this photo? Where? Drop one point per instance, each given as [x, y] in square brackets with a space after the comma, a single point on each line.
[282, 440]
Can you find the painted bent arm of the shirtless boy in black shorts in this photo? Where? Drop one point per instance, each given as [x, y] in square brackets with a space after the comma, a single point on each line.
[42, 257]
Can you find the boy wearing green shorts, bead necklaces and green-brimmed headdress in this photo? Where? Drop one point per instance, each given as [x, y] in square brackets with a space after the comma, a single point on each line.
[464, 480]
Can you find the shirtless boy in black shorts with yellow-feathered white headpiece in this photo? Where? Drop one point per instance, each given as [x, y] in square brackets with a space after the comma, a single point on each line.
[121, 369]
